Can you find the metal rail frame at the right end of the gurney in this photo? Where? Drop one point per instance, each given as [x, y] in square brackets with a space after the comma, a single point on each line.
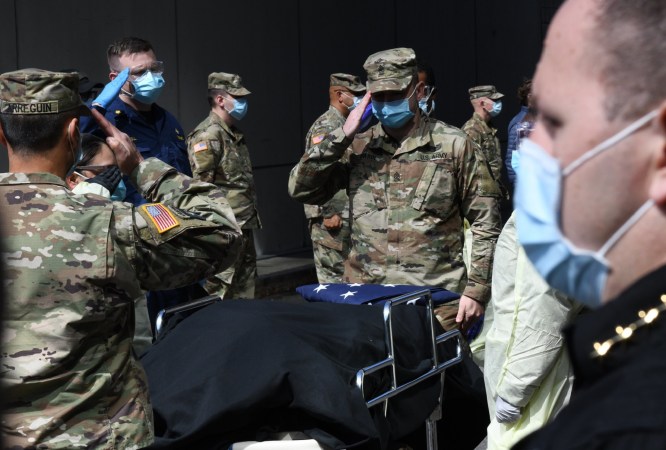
[438, 367]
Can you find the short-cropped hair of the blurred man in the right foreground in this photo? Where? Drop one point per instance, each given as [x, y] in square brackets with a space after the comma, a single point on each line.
[630, 39]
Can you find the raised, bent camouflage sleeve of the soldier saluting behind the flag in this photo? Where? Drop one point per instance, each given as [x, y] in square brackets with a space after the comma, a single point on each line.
[320, 173]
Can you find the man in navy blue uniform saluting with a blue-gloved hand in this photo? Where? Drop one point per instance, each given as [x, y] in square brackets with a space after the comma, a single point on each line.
[153, 129]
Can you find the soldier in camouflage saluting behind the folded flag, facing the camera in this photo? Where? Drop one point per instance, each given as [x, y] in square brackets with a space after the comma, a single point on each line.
[411, 181]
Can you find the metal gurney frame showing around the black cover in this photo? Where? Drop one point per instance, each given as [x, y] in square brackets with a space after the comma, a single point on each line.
[386, 367]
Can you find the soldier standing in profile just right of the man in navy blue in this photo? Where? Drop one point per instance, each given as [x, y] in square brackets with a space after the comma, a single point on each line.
[218, 155]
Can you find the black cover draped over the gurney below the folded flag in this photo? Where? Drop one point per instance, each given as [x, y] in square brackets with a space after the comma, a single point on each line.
[237, 369]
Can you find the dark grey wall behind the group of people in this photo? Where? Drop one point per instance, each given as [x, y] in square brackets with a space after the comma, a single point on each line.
[284, 51]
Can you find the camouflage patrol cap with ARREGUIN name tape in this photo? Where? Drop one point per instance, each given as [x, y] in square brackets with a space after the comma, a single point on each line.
[36, 91]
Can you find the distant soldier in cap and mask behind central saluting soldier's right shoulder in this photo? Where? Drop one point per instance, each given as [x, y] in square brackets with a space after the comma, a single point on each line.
[486, 104]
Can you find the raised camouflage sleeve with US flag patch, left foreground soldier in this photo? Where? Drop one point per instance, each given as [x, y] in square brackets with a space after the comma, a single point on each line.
[184, 233]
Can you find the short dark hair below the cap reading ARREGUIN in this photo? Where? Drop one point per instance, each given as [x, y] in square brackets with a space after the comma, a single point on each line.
[29, 134]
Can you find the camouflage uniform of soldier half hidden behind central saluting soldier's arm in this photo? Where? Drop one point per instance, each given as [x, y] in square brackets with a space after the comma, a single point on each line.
[330, 247]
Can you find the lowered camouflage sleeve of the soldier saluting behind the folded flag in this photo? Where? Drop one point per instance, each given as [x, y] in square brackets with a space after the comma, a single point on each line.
[480, 196]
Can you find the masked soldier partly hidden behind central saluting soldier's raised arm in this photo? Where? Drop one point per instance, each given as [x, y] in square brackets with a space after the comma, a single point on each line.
[329, 223]
